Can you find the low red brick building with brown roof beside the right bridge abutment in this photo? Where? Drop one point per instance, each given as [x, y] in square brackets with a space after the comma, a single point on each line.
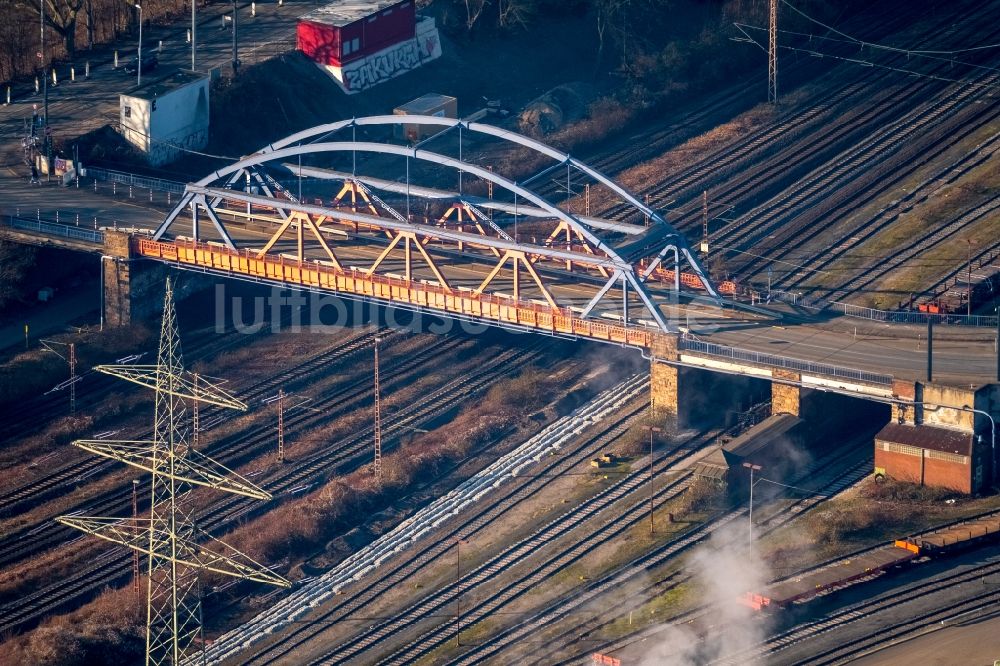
[931, 456]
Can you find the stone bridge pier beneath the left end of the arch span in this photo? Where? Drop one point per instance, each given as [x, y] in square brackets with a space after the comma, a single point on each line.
[127, 282]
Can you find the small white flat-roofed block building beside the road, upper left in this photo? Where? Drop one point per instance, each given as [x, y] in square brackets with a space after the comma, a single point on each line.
[167, 115]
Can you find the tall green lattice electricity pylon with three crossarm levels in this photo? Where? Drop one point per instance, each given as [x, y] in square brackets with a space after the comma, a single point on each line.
[176, 549]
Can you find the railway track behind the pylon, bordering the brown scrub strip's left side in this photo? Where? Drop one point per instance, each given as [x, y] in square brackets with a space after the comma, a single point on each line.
[341, 457]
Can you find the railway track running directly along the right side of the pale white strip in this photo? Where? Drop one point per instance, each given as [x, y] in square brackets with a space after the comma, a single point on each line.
[474, 520]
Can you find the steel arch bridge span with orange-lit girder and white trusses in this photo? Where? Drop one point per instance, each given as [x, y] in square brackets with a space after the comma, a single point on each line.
[438, 230]
